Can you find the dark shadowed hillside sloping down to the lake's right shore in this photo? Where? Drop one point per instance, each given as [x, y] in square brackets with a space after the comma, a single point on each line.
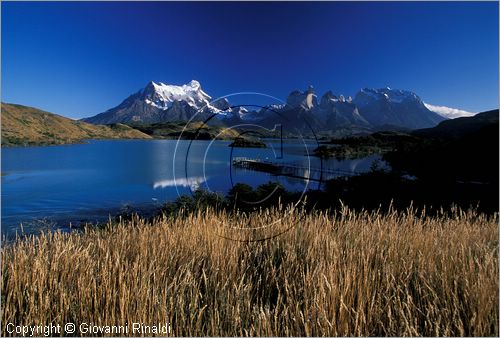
[460, 150]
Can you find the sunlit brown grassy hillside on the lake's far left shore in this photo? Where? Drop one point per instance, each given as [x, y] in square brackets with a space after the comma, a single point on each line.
[22, 126]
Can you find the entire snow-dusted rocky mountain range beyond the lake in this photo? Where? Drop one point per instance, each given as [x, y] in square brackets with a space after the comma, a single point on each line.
[370, 109]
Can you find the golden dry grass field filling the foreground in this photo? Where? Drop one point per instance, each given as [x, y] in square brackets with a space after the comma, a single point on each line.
[344, 274]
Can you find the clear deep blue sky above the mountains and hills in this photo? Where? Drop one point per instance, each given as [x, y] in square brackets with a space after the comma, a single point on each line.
[79, 59]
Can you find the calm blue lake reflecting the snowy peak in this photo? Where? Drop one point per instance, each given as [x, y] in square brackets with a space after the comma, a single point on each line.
[59, 185]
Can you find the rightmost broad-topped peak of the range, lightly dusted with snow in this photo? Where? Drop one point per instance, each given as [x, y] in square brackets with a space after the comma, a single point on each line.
[394, 107]
